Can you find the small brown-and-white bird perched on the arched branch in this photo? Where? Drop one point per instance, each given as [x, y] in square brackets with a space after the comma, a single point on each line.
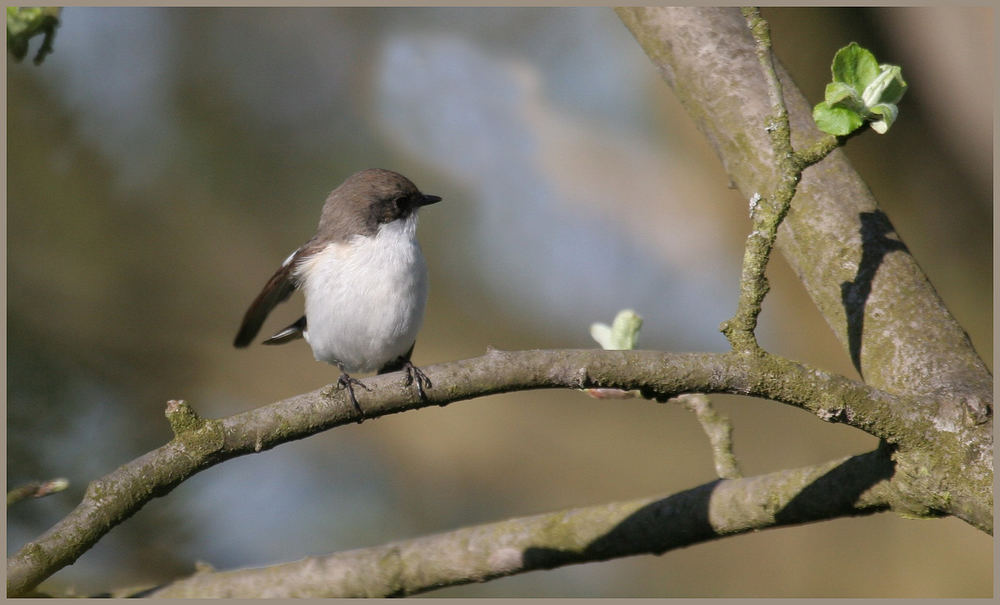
[364, 279]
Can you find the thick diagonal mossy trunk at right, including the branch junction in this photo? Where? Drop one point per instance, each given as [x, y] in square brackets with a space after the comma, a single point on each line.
[862, 278]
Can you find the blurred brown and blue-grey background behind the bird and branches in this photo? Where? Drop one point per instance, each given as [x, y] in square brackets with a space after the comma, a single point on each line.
[163, 162]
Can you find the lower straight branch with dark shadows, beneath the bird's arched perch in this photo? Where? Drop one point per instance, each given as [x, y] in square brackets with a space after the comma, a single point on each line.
[851, 486]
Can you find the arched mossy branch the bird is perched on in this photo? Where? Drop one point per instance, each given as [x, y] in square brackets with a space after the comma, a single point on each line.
[200, 444]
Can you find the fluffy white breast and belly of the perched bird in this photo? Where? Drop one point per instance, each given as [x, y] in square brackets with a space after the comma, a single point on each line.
[365, 298]
